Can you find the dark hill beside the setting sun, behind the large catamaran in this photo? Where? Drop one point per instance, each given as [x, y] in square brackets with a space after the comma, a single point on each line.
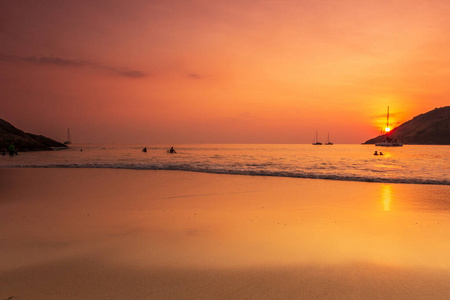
[431, 128]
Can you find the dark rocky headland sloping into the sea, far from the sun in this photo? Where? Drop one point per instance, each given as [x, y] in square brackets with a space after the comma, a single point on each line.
[25, 141]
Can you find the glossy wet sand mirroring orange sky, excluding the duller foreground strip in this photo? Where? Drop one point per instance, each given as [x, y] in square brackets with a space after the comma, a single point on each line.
[198, 220]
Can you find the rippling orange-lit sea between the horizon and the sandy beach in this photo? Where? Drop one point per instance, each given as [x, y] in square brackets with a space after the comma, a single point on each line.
[408, 164]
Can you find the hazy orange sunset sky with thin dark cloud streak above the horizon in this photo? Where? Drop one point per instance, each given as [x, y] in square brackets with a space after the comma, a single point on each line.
[235, 71]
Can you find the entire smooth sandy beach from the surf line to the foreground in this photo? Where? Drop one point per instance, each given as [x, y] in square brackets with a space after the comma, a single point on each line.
[130, 234]
